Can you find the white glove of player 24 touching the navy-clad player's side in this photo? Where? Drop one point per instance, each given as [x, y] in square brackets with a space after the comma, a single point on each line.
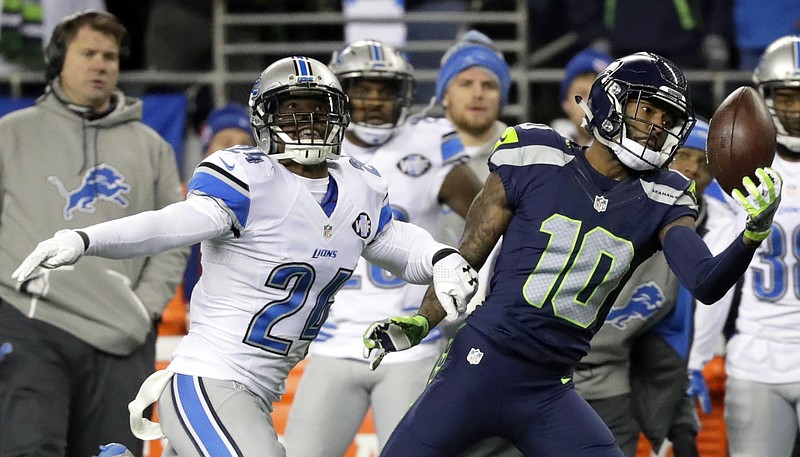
[454, 281]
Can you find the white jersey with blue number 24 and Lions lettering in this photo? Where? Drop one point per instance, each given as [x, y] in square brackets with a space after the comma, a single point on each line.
[268, 282]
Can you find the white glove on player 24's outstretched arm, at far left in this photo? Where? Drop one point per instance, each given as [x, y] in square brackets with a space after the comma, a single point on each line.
[64, 248]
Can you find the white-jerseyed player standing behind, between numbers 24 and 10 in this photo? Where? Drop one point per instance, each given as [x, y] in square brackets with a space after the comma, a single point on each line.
[424, 164]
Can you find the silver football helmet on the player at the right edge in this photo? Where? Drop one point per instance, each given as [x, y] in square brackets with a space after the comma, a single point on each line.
[779, 68]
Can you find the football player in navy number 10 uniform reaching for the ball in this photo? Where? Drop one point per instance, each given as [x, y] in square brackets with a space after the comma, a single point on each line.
[576, 222]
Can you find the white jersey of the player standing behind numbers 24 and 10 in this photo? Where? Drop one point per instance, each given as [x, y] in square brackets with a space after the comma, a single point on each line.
[415, 162]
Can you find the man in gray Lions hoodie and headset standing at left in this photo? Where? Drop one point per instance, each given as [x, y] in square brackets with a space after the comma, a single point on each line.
[83, 338]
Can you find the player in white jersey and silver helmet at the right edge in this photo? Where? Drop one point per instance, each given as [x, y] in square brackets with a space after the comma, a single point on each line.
[762, 399]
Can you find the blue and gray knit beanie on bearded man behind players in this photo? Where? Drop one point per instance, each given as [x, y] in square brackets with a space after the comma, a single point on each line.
[473, 50]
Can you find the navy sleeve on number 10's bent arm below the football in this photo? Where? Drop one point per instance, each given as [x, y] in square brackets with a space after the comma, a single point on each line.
[707, 277]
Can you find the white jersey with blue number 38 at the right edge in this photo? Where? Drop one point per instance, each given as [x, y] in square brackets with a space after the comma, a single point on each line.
[766, 346]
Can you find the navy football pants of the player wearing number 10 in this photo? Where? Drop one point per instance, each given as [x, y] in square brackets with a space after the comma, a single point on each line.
[495, 393]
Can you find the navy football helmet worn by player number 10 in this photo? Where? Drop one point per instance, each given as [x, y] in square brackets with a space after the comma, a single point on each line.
[633, 79]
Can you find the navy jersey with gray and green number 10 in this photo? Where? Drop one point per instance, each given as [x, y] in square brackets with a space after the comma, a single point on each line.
[574, 238]
